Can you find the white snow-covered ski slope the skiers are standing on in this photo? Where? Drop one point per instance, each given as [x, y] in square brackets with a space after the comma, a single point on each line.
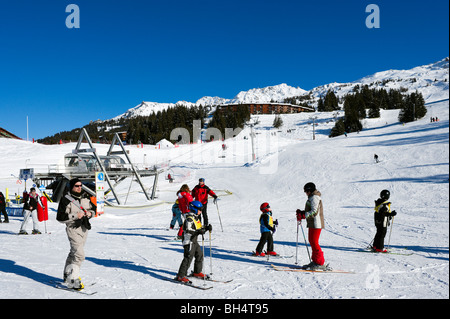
[129, 252]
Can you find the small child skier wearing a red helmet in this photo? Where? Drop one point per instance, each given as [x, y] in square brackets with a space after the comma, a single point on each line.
[267, 227]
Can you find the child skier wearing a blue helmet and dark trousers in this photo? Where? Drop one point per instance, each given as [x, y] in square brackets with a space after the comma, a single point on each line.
[192, 228]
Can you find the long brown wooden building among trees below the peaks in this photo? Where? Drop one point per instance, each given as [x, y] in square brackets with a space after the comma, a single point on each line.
[267, 108]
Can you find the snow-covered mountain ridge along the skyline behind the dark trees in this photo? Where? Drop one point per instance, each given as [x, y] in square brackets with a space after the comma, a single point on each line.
[431, 80]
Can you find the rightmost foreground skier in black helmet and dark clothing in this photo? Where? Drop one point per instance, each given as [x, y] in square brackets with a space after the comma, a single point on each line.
[382, 217]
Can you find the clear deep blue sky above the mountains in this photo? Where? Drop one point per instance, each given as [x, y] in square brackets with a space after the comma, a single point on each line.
[126, 52]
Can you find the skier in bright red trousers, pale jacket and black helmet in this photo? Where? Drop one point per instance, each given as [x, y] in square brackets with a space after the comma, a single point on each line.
[313, 214]
